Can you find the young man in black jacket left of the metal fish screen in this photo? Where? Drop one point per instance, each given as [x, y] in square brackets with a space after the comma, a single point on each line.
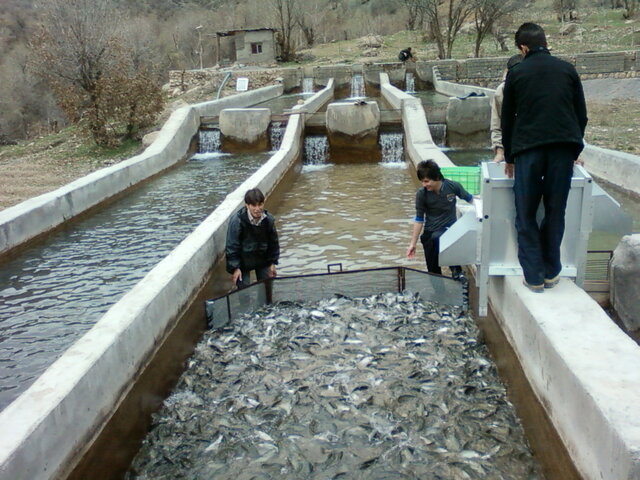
[252, 241]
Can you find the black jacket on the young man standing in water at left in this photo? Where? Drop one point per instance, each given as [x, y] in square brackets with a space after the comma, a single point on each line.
[251, 246]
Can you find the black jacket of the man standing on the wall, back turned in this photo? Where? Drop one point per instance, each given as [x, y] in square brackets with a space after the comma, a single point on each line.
[543, 104]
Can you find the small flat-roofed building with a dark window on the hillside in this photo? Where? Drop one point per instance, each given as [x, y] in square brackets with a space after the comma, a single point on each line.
[251, 47]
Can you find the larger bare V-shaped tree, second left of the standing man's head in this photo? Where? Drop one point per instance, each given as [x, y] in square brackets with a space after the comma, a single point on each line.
[444, 19]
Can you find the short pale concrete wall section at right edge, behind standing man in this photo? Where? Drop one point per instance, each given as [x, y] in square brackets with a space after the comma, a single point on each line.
[619, 168]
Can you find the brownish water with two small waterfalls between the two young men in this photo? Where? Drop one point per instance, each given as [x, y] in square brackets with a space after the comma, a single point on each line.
[359, 215]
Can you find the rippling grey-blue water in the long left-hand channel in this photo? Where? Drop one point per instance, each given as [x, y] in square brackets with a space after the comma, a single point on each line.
[56, 290]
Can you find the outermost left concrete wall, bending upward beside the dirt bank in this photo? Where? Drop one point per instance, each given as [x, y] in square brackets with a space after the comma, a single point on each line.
[38, 215]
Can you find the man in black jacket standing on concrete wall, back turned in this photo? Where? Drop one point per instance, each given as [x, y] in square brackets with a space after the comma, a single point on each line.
[544, 116]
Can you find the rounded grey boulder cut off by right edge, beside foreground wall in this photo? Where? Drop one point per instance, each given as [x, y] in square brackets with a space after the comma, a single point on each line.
[625, 281]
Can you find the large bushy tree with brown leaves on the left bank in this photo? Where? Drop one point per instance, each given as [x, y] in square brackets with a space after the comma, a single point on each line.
[81, 51]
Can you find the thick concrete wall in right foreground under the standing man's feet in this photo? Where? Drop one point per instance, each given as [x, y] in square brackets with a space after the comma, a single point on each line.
[583, 369]
